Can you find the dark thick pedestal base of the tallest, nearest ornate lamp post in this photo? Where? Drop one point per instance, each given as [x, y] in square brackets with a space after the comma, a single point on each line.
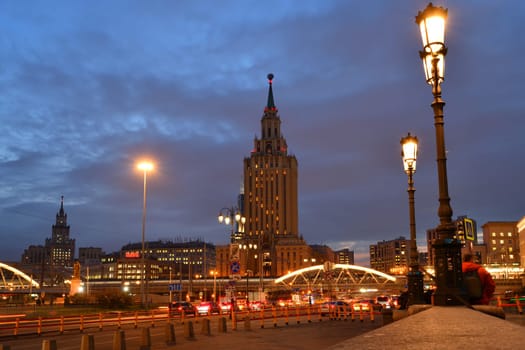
[449, 277]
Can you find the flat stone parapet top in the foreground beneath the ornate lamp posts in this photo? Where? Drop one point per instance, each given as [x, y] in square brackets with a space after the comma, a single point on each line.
[442, 328]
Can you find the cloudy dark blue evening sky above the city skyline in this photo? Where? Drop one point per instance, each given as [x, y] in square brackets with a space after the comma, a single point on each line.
[87, 89]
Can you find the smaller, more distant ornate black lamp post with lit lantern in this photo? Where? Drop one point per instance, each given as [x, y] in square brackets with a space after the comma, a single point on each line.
[415, 277]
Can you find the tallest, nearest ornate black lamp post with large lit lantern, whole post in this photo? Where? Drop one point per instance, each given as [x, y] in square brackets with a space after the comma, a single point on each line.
[447, 248]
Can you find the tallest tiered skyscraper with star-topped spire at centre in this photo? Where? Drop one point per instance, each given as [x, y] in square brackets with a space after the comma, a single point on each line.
[270, 201]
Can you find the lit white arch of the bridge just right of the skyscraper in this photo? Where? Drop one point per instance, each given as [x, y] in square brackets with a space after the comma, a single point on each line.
[341, 277]
